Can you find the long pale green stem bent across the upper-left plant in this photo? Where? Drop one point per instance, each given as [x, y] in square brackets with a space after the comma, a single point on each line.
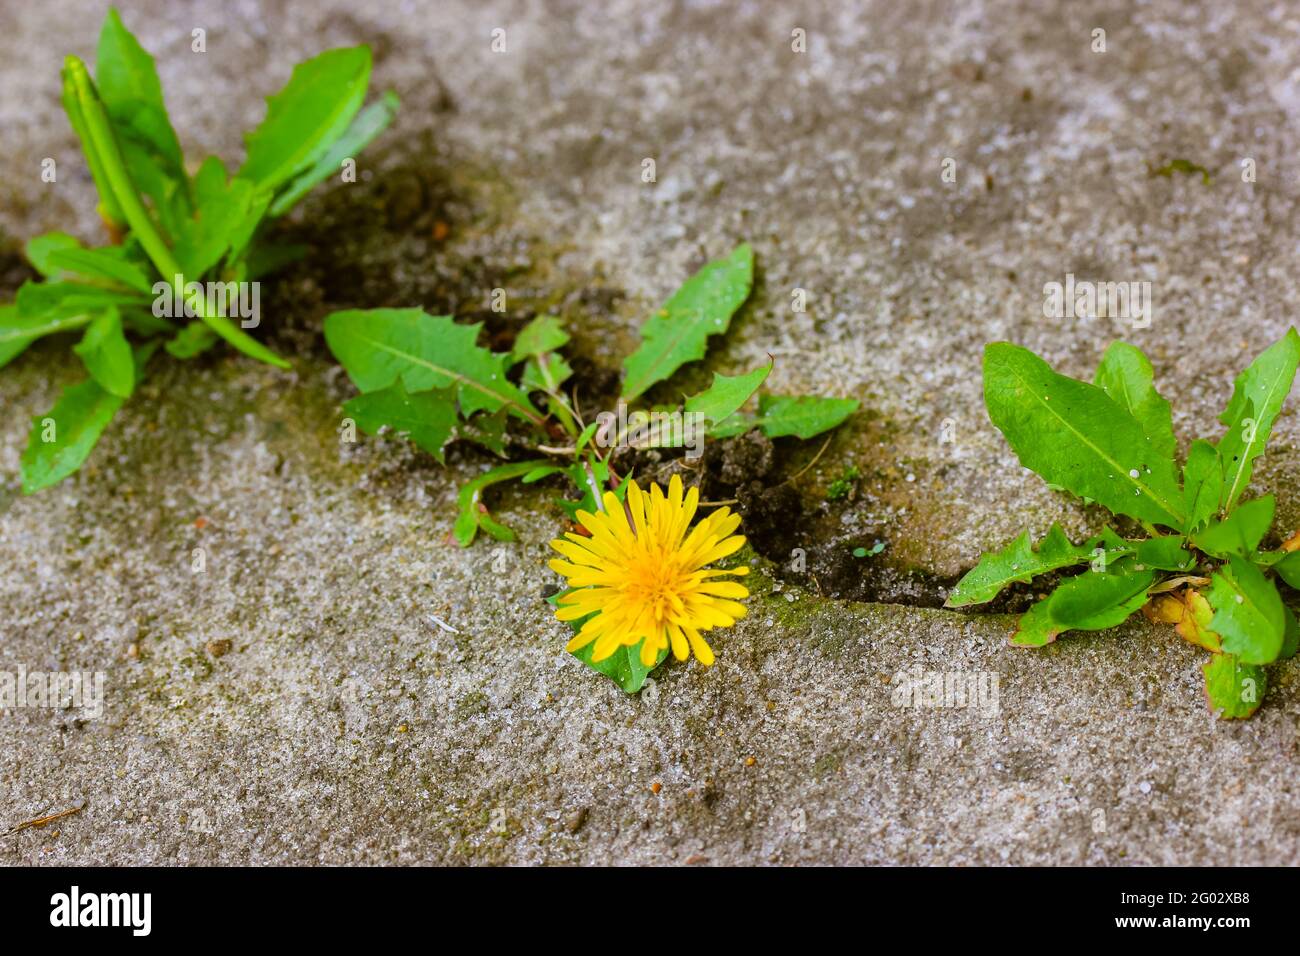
[138, 218]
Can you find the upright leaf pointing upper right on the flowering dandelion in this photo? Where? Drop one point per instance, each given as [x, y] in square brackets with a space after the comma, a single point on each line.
[678, 334]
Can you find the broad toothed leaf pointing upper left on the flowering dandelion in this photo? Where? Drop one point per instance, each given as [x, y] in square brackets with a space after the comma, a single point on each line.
[380, 347]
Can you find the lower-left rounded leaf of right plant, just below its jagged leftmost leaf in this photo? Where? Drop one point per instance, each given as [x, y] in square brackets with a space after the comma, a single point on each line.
[1089, 602]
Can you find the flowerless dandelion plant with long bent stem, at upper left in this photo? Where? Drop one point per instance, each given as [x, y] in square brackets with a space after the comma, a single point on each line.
[189, 241]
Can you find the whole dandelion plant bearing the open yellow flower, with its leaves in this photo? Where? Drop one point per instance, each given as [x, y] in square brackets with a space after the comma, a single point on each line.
[427, 377]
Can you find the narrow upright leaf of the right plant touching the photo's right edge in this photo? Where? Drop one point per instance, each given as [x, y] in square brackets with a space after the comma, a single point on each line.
[1258, 397]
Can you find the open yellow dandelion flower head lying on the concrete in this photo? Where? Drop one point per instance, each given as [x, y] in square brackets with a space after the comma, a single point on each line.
[644, 577]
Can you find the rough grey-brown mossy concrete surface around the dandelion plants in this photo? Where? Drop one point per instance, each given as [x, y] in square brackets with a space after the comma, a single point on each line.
[345, 726]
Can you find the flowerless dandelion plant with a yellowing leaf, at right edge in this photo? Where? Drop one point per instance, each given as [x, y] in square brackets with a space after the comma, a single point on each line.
[1195, 560]
